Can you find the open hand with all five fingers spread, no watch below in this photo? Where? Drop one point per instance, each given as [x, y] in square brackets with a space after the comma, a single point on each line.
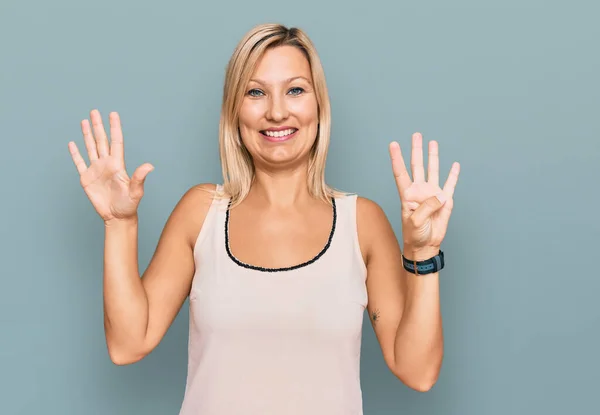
[114, 195]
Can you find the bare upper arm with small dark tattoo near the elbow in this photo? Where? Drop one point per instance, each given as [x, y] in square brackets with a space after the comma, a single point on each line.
[385, 276]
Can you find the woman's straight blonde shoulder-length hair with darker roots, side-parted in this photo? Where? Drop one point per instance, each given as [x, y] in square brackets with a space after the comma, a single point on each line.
[236, 162]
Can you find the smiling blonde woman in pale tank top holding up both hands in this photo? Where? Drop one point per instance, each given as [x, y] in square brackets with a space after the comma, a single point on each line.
[277, 265]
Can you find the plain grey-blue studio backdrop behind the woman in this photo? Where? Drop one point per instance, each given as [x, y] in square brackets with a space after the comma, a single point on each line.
[510, 89]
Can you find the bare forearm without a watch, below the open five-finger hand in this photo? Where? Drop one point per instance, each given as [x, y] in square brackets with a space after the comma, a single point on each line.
[125, 300]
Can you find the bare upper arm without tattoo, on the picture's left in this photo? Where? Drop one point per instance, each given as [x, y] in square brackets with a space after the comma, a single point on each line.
[168, 278]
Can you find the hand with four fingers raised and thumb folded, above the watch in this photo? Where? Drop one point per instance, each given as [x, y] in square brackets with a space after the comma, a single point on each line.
[426, 207]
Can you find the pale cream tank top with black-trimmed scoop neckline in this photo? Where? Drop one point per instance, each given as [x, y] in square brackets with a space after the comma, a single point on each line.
[282, 341]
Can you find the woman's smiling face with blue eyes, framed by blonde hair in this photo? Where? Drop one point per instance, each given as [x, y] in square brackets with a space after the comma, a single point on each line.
[279, 113]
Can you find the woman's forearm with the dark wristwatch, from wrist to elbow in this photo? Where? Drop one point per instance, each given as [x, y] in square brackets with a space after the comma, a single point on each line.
[419, 338]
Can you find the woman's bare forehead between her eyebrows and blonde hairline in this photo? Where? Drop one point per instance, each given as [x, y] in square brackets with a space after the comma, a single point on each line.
[280, 63]
